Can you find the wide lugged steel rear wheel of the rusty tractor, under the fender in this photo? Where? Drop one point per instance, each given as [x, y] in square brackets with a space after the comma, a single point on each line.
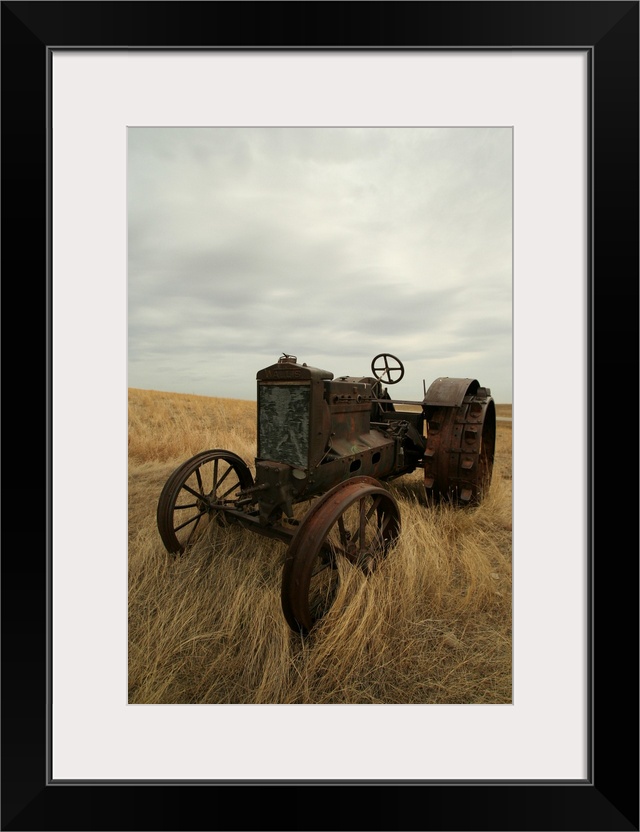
[460, 451]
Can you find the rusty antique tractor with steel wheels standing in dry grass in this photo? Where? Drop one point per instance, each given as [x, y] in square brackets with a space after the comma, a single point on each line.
[334, 442]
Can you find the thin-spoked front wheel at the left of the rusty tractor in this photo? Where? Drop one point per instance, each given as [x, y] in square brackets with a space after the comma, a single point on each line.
[196, 493]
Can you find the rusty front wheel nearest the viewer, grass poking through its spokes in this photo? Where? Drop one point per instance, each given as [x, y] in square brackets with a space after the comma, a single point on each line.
[357, 520]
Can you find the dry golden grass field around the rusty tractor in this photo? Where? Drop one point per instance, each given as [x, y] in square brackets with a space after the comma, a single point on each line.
[431, 625]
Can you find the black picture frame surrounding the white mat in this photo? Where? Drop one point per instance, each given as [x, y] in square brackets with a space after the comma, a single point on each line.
[608, 798]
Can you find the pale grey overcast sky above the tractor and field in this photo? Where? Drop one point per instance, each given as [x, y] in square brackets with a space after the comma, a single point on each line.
[331, 244]
